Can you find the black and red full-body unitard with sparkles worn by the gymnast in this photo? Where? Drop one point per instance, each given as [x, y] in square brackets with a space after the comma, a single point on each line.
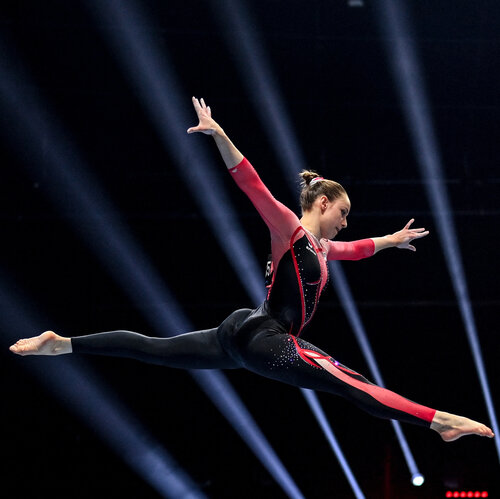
[267, 340]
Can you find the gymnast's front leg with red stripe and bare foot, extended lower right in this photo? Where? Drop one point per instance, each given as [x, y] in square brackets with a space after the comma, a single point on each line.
[294, 361]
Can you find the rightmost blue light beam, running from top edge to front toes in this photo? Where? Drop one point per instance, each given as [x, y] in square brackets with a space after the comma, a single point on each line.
[409, 80]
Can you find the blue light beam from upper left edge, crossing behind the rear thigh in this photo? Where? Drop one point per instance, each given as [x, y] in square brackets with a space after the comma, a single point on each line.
[120, 255]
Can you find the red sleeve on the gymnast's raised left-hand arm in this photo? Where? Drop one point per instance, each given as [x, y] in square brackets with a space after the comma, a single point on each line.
[280, 220]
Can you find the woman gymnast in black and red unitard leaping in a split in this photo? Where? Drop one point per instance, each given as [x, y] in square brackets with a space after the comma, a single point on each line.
[267, 340]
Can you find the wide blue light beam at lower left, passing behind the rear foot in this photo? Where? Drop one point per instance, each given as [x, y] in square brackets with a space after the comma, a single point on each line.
[72, 383]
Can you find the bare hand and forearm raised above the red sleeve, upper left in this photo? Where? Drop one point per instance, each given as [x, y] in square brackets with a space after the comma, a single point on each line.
[209, 126]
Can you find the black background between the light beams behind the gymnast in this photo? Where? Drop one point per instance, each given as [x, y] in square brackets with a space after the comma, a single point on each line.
[331, 68]
